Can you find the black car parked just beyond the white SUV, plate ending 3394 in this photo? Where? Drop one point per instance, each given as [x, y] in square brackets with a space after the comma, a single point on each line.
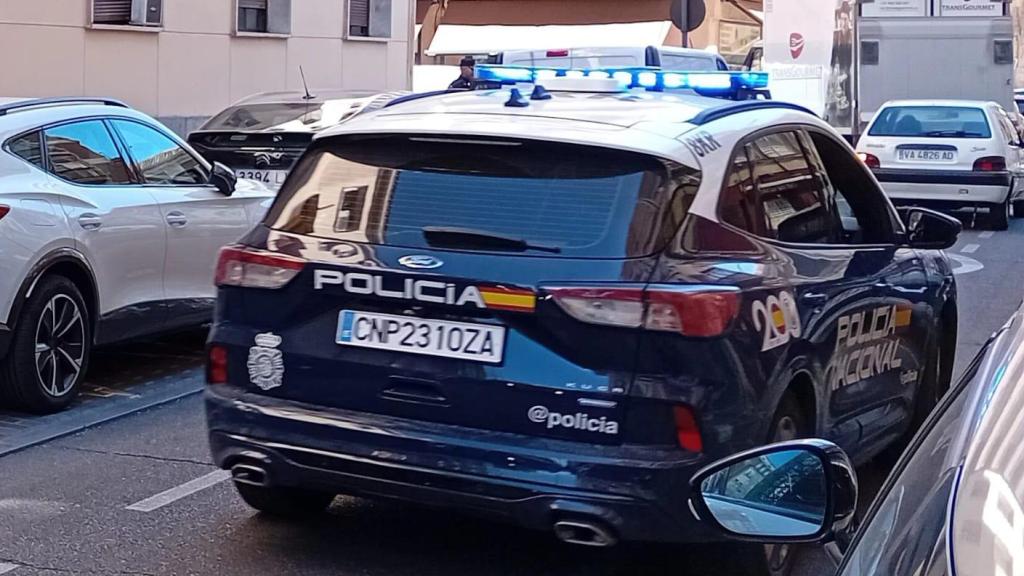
[262, 137]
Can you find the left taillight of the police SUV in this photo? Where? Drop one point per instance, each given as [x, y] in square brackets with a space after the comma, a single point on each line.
[239, 266]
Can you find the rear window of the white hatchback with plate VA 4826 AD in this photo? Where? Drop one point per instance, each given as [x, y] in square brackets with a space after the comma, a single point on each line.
[932, 121]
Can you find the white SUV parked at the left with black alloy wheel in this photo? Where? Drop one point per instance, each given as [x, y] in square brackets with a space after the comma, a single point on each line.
[110, 228]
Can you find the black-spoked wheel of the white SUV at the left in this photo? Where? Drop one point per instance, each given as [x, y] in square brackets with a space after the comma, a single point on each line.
[45, 368]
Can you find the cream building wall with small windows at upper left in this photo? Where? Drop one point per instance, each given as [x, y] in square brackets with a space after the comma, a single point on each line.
[183, 61]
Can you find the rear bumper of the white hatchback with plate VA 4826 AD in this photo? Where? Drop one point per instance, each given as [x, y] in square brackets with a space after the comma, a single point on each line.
[945, 188]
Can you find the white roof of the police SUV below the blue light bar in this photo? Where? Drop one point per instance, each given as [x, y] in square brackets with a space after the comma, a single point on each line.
[647, 122]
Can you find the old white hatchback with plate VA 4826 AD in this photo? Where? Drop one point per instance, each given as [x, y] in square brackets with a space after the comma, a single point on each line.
[948, 154]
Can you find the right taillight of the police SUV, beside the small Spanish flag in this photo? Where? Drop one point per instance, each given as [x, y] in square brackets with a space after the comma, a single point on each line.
[692, 311]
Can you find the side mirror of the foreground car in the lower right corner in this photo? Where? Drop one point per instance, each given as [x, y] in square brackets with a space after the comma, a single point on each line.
[798, 491]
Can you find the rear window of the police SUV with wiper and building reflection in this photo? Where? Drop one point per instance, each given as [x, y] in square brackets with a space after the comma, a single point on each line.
[562, 200]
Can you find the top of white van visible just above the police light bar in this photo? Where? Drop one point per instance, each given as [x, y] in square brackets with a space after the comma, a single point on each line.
[666, 58]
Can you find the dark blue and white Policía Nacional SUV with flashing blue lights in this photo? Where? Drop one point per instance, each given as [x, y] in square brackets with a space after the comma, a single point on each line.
[557, 302]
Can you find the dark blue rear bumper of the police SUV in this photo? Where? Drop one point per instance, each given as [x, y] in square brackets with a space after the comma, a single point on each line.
[639, 493]
